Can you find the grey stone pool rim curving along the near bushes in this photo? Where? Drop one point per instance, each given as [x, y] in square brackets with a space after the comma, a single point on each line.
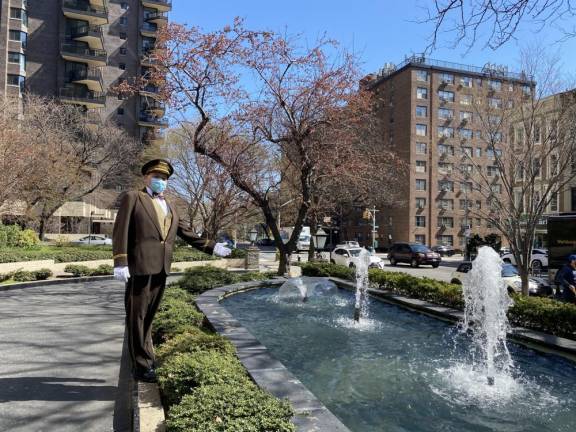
[266, 371]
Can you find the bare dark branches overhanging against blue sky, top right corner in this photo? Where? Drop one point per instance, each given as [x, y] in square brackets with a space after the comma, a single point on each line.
[470, 20]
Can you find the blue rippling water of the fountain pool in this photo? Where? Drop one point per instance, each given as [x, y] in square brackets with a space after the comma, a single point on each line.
[396, 370]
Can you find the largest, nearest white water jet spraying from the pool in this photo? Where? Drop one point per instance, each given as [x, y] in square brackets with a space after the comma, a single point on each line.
[487, 302]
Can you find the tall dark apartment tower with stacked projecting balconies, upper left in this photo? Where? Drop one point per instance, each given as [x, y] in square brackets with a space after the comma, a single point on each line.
[76, 50]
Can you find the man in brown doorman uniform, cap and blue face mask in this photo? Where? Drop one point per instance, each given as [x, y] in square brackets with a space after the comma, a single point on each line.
[143, 240]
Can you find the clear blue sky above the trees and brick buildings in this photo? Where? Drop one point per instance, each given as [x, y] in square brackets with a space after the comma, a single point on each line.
[379, 31]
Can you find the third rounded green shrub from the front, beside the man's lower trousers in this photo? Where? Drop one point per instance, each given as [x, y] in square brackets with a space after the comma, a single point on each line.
[191, 341]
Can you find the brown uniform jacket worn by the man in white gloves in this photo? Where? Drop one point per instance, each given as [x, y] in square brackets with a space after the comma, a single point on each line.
[137, 239]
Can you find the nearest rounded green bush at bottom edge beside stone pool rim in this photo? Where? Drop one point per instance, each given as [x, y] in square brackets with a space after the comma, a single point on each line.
[230, 408]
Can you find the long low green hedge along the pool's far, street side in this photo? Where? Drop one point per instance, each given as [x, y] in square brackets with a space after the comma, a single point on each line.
[542, 314]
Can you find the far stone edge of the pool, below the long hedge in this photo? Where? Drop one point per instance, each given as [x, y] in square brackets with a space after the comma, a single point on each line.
[533, 339]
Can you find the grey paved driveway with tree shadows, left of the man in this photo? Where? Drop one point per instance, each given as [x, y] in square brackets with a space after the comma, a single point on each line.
[60, 359]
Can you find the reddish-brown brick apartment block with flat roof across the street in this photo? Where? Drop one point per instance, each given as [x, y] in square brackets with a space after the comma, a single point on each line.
[429, 117]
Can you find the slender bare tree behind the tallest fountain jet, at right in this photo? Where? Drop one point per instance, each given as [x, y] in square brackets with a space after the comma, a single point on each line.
[530, 136]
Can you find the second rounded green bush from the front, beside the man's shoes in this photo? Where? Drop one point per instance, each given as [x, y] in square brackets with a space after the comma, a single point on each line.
[184, 372]
